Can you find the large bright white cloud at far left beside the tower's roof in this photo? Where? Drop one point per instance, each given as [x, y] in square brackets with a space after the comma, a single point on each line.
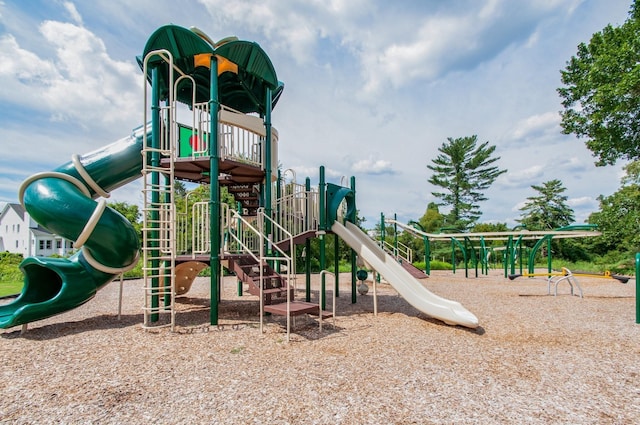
[80, 84]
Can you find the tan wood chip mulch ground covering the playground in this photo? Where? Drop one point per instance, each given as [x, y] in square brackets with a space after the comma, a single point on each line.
[535, 359]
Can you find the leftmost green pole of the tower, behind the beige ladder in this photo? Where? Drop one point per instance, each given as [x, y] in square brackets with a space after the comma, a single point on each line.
[155, 195]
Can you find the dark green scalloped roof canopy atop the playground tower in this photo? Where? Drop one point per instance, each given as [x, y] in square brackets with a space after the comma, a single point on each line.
[242, 83]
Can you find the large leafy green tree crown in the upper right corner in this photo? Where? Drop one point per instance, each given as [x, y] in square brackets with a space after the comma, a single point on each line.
[601, 93]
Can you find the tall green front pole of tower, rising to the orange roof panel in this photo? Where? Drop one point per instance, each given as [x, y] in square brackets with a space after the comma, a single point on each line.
[214, 192]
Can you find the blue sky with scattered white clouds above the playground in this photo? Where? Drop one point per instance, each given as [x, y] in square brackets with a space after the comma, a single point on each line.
[372, 89]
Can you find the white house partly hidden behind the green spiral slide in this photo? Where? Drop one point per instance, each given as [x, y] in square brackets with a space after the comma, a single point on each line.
[21, 235]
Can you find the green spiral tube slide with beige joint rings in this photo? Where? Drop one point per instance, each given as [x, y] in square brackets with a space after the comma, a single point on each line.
[62, 201]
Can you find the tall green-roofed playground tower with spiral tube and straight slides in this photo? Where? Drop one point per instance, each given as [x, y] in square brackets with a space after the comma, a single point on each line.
[226, 92]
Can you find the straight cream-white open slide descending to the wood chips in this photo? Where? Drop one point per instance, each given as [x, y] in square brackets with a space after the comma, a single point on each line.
[450, 312]
